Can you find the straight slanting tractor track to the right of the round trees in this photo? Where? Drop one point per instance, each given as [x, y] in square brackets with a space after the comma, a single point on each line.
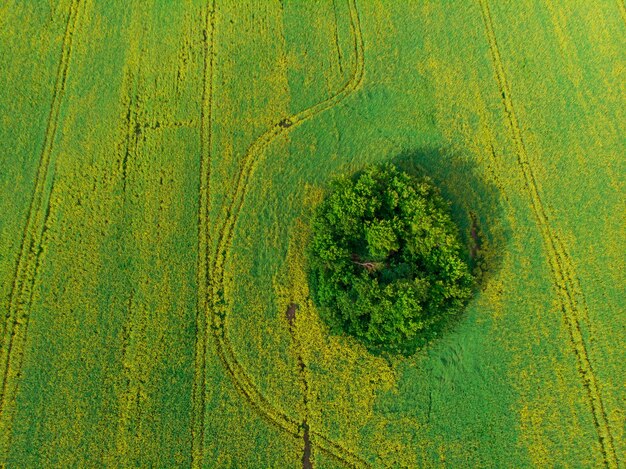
[570, 296]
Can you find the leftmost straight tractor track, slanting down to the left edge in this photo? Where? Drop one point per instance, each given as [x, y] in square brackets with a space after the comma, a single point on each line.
[14, 332]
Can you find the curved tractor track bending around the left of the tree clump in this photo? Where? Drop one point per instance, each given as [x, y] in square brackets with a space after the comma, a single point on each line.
[215, 302]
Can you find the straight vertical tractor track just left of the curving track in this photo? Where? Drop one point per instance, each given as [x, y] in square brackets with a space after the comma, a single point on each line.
[199, 382]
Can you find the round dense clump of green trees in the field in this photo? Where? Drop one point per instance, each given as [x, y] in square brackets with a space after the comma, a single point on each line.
[386, 260]
